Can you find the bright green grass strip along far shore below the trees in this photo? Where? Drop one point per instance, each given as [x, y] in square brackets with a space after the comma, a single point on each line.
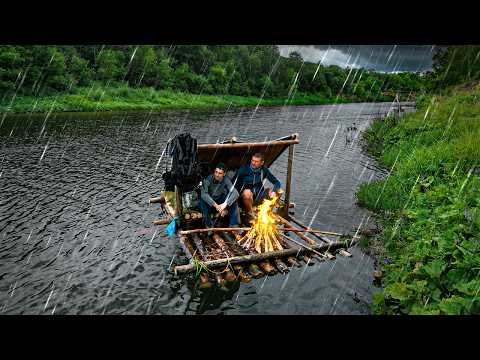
[126, 98]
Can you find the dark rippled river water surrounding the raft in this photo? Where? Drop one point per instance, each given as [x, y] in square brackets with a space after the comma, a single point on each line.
[76, 233]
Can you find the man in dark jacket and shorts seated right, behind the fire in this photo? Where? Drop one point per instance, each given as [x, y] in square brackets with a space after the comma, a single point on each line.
[250, 182]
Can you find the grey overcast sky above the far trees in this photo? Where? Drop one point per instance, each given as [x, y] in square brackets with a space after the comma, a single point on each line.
[386, 58]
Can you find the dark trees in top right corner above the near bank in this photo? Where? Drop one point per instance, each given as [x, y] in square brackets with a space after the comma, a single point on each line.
[454, 65]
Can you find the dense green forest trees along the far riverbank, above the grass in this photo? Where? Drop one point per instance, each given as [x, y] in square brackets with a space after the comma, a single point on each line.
[244, 70]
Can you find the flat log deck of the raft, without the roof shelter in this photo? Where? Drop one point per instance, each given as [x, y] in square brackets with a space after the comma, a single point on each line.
[228, 261]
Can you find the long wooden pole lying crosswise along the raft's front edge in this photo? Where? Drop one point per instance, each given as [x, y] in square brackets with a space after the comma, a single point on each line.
[183, 269]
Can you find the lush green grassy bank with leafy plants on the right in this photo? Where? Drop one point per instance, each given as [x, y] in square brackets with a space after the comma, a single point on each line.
[429, 207]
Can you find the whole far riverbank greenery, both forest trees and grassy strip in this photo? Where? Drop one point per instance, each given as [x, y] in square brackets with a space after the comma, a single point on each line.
[38, 78]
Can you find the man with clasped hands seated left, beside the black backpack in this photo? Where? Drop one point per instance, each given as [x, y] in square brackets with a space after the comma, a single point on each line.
[218, 193]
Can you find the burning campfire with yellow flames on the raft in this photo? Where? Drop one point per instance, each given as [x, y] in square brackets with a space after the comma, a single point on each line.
[263, 235]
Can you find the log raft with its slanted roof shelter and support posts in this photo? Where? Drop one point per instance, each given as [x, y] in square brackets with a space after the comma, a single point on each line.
[221, 254]
